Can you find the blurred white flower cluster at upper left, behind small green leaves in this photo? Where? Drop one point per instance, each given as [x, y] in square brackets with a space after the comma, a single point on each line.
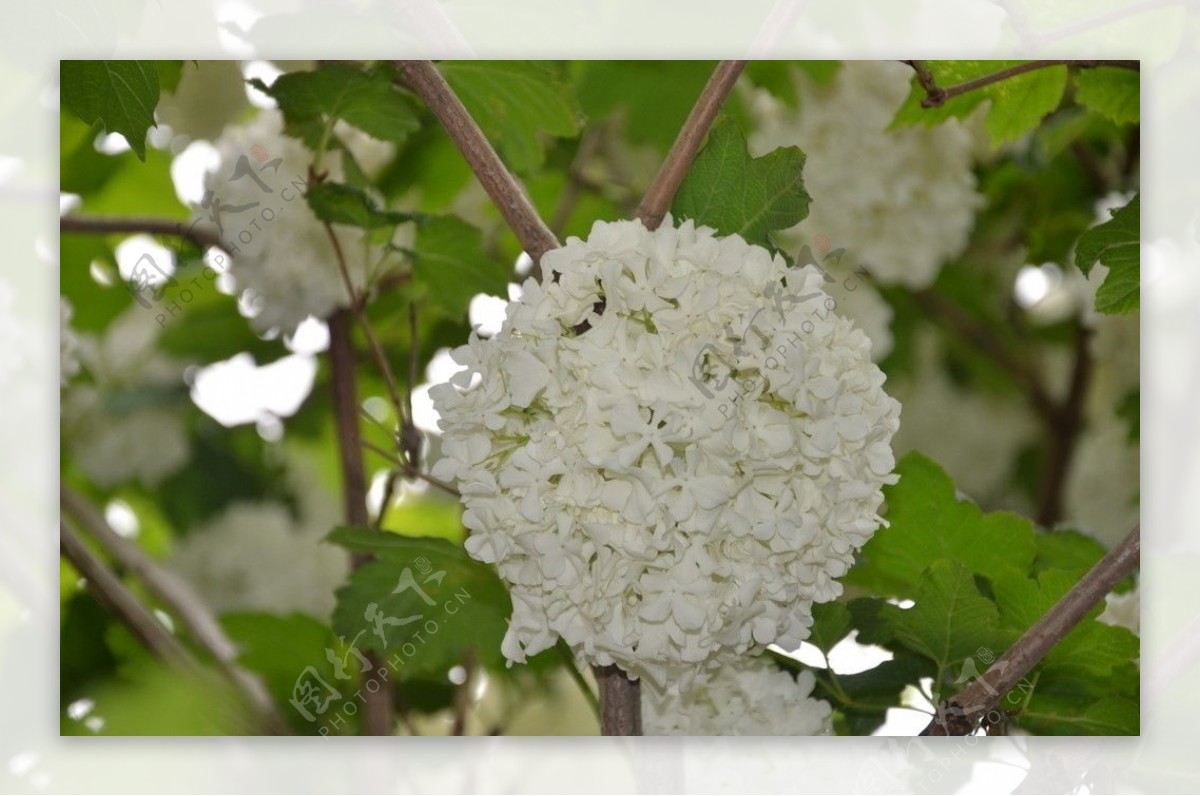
[281, 253]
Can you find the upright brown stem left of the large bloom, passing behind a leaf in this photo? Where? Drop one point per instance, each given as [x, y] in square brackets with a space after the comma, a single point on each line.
[377, 704]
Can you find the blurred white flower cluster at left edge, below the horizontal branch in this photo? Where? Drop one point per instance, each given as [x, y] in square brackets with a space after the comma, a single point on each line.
[130, 420]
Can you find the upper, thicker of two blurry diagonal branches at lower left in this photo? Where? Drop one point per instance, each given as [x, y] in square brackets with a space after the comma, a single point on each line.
[179, 599]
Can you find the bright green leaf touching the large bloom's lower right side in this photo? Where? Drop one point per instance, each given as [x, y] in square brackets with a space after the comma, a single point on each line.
[928, 523]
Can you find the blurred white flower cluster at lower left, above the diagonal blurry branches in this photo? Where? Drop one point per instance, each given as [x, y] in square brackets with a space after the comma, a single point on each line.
[262, 556]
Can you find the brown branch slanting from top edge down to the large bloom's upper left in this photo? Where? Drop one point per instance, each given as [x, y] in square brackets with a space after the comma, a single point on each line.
[424, 80]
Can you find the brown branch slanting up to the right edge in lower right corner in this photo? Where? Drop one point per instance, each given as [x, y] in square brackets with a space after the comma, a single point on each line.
[962, 715]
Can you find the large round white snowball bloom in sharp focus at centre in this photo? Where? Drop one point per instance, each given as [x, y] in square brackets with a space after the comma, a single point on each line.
[671, 450]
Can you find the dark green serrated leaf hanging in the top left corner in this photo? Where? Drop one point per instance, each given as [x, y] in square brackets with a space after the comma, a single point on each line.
[119, 95]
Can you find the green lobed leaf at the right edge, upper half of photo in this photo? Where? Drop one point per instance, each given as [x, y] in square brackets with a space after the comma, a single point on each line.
[1117, 244]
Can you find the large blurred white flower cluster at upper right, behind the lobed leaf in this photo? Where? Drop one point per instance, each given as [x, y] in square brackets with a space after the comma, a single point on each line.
[899, 202]
